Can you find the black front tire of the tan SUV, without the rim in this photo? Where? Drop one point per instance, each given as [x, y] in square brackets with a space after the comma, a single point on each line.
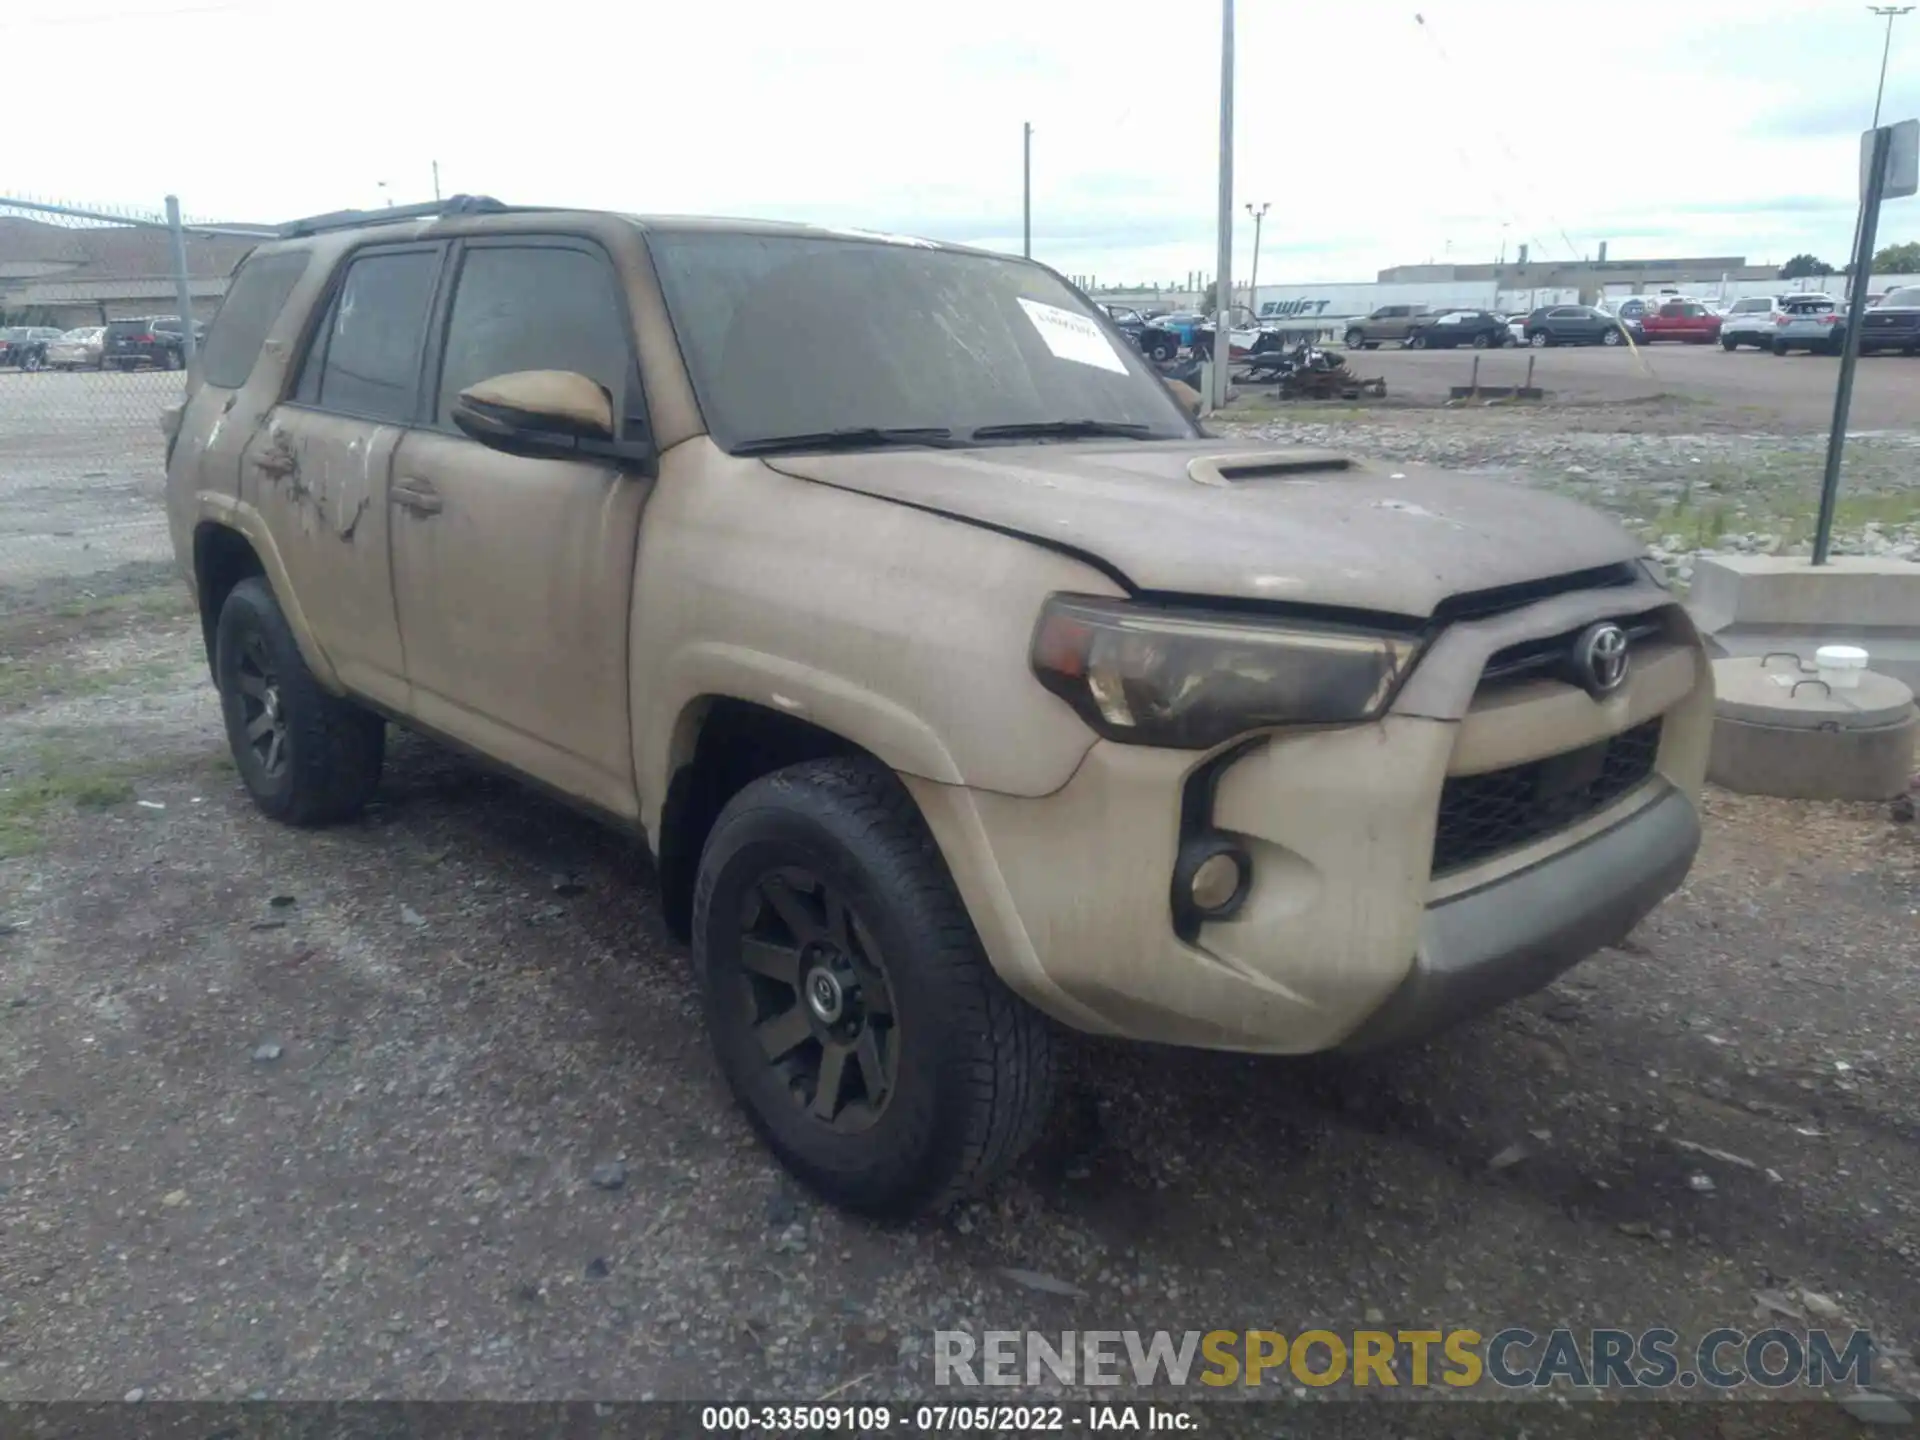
[974, 1063]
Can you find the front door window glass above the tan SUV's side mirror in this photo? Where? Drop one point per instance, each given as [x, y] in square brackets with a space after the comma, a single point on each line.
[535, 308]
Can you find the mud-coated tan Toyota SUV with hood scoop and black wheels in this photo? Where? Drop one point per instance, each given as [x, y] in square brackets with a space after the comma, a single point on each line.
[957, 683]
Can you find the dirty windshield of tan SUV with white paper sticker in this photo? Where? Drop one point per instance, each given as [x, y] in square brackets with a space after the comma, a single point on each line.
[802, 335]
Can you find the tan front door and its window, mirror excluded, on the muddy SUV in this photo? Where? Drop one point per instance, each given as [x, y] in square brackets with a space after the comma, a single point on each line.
[516, 577]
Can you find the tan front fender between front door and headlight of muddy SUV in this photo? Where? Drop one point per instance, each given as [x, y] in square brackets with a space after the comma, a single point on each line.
[896, 629]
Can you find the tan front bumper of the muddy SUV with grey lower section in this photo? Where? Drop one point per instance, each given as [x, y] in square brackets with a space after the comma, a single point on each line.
[1347, 936]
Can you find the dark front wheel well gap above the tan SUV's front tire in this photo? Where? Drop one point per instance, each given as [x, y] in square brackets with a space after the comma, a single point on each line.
[736, 744]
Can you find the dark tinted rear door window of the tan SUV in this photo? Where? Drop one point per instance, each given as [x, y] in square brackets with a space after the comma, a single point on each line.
[368, 356]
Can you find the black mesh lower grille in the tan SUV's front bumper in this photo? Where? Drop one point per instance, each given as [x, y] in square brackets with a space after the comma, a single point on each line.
[1504, 809]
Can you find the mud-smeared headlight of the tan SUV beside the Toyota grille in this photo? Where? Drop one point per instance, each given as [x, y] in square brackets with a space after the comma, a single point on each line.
[1197, 679]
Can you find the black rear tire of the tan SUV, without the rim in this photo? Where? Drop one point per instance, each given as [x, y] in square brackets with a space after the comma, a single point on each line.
[333, 748]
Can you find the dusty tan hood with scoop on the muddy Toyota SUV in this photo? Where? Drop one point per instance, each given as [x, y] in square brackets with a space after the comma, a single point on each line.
[1260, 523]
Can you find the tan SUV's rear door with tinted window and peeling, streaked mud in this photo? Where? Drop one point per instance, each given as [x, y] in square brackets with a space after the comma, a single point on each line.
[320, 469]
